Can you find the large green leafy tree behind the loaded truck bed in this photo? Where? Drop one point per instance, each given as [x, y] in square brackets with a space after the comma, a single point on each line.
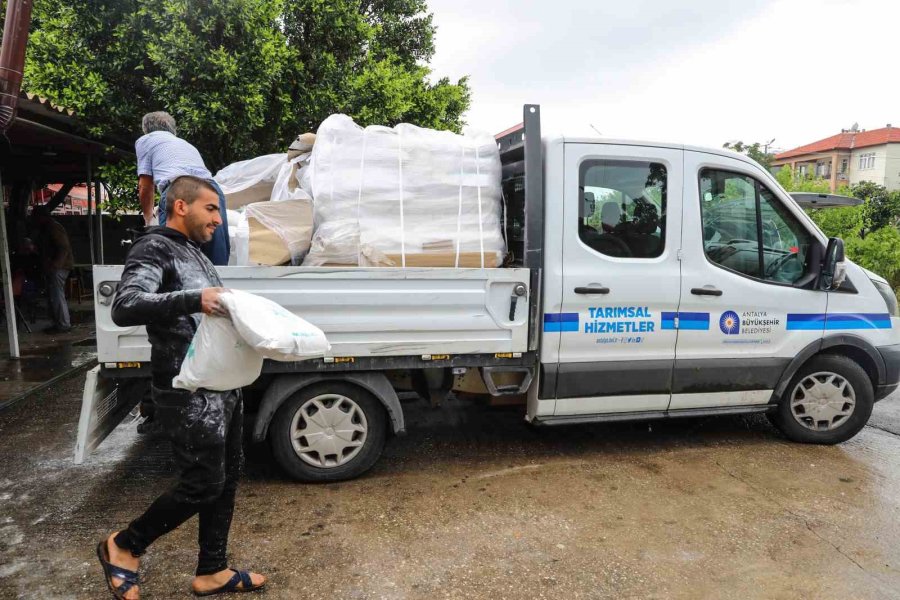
[241, 77]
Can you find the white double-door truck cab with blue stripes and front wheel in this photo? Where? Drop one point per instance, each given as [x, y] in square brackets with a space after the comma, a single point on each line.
[685, 281]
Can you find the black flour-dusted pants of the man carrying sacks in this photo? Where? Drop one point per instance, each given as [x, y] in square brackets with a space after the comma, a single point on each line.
[205, 429]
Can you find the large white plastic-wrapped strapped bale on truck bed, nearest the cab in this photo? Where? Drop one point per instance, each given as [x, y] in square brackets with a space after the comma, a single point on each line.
[409, 191]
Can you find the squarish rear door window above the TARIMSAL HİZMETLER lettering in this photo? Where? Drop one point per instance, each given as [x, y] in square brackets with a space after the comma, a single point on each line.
[623, 207]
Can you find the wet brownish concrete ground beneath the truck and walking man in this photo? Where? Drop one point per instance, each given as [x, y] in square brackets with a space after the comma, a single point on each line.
[475, 504]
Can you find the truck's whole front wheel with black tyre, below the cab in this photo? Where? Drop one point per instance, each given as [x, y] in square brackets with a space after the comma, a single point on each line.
[827, 402]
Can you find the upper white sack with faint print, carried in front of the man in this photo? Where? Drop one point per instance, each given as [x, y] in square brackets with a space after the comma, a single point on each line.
[273, 331]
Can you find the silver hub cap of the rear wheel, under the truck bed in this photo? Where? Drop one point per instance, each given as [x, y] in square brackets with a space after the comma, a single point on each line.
[328, 431]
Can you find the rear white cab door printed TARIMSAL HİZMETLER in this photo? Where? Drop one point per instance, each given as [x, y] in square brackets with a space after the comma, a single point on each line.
[621, 278]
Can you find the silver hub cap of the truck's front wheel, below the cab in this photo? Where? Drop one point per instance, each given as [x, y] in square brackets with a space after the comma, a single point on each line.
[823, 401]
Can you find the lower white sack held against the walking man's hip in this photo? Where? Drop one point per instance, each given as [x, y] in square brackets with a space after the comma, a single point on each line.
[218, 359]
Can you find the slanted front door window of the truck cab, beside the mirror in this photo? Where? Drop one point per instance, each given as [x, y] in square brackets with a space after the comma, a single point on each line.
[748, 230]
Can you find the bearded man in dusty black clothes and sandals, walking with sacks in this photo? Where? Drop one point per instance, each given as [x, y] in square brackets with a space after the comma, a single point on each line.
[166, 284]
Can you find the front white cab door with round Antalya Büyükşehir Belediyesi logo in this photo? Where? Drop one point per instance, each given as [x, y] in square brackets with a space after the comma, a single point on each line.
[746, 257]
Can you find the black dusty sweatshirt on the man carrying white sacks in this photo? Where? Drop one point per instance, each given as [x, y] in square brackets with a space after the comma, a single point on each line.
[161, 286]
